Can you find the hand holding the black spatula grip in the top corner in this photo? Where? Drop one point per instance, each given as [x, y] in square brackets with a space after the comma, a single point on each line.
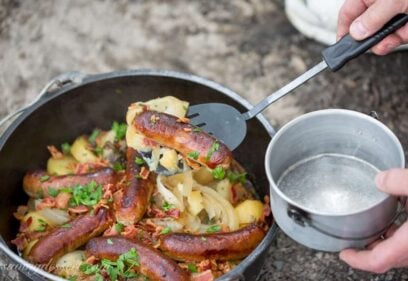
[362, 18]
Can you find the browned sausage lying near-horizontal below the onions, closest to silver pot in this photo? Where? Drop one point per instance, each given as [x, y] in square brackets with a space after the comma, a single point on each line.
[221, 246]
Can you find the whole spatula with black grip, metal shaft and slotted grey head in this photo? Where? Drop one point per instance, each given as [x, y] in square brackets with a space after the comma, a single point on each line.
[229, 125]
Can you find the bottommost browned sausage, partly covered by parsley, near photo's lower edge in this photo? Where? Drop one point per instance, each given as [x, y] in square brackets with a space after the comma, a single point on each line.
[153, 264]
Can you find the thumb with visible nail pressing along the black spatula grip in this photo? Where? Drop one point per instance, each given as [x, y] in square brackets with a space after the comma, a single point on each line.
[375, 17]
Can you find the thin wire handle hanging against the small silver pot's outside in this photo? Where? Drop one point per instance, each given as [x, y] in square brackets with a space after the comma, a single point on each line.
[302, 219]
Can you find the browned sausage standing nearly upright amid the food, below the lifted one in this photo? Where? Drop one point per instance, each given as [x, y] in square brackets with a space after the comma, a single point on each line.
[132, 205]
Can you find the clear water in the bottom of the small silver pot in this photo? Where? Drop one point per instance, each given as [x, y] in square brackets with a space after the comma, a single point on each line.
[331, 183]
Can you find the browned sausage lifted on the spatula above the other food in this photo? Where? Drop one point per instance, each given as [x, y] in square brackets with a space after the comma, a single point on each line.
[167, 130]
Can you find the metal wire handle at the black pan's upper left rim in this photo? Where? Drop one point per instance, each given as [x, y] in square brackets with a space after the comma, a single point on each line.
[55, 83]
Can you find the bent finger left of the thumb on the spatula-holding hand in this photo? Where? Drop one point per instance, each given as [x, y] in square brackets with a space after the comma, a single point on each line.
[350, 10]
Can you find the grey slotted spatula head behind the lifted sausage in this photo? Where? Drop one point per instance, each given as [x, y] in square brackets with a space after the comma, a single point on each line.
[222, 121]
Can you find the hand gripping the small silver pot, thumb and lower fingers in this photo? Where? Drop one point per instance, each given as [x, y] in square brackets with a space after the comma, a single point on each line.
[382, 255]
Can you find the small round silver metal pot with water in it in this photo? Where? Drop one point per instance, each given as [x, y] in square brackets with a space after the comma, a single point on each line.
[330, 207]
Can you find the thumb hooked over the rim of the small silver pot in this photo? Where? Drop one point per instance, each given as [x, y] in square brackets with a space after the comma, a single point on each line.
[394, 181]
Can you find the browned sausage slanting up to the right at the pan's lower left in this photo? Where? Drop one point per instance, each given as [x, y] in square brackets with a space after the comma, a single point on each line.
[65, 239]
